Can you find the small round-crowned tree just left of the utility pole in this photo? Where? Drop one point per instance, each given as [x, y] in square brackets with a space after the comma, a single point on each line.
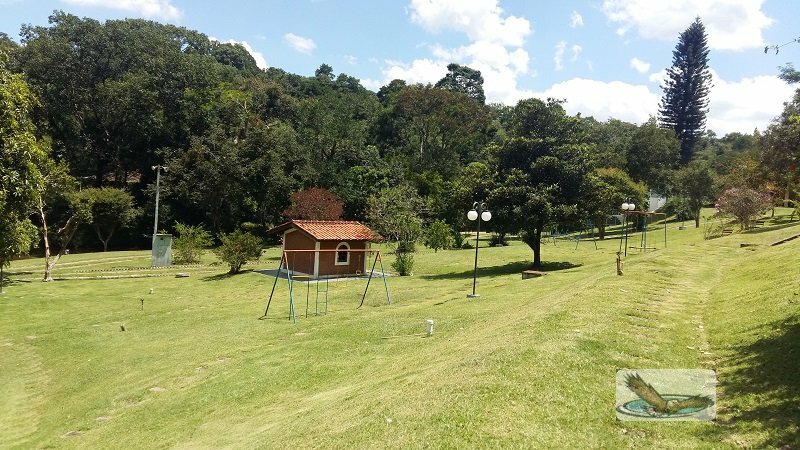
[112, 208]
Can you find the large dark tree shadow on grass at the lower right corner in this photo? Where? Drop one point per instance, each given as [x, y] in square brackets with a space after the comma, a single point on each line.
[767, 375]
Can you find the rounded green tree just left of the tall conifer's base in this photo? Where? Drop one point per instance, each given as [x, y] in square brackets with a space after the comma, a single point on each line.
[652, 156]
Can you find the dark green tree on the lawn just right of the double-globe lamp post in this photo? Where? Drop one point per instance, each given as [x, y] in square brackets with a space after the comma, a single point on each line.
[543, 169]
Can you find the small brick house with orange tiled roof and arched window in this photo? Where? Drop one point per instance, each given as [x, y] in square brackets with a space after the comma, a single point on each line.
[319, 248]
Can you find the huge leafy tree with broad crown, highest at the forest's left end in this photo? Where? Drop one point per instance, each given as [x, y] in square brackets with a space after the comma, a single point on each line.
[115, 92]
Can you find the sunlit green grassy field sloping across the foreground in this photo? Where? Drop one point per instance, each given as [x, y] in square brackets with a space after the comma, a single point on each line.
[529, 364]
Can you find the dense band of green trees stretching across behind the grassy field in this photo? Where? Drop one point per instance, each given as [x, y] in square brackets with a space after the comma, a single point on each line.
[103, 103]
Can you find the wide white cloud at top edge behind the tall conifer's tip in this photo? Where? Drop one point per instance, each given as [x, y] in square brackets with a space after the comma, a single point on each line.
[730, 24]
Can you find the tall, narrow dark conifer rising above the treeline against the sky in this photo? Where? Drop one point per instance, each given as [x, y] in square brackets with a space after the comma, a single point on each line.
[684, 105]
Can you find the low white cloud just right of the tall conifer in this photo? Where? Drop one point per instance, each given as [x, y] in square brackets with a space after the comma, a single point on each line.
[745, 104]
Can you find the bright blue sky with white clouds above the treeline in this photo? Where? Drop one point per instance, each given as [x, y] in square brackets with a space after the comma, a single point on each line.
[605, 57]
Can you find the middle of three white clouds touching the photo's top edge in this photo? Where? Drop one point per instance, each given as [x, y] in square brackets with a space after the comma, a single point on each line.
[480, 20]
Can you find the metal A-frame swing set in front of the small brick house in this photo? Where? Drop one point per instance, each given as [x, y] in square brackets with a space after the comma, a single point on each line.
[287, 263]
